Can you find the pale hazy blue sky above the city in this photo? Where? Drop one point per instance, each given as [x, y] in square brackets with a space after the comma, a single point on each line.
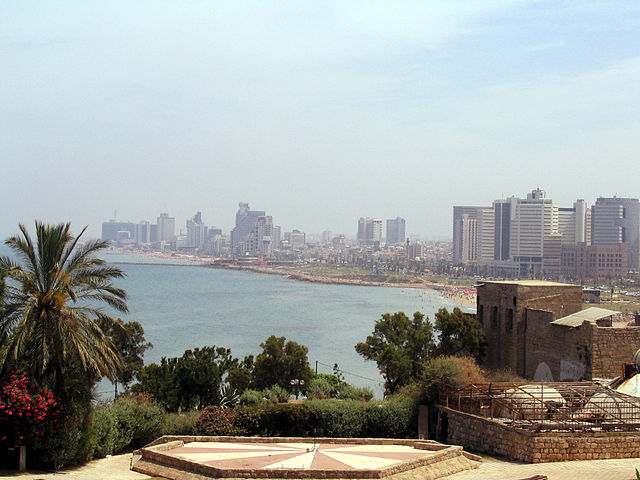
[317, 112]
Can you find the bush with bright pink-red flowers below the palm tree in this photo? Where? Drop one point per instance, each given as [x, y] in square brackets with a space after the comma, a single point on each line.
[24, 410]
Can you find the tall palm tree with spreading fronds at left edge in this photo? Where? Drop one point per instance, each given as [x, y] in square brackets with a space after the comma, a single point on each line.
[53, 297]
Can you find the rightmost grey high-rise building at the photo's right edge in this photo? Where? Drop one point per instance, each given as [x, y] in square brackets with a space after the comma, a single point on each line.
[616, 221]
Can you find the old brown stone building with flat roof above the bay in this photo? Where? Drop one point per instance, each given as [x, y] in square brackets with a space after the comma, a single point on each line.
[539, 330]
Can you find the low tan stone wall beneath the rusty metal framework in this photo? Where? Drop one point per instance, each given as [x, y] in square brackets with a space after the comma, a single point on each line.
[484, 435]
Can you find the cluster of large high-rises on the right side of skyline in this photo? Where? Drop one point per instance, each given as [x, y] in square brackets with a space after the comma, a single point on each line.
[534, 237]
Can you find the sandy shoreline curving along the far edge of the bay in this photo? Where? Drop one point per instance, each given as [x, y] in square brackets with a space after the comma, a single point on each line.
[465, 297]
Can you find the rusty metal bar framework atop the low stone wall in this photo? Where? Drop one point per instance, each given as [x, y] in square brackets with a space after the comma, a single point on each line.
[580, 406]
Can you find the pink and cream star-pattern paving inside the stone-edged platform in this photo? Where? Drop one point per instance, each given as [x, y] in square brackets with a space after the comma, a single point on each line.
[308, 456]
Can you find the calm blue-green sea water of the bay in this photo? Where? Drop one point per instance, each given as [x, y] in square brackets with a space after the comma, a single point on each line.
[183, 307]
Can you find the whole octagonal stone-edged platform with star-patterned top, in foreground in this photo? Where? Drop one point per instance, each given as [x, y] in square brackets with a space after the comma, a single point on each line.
[199, 458]
